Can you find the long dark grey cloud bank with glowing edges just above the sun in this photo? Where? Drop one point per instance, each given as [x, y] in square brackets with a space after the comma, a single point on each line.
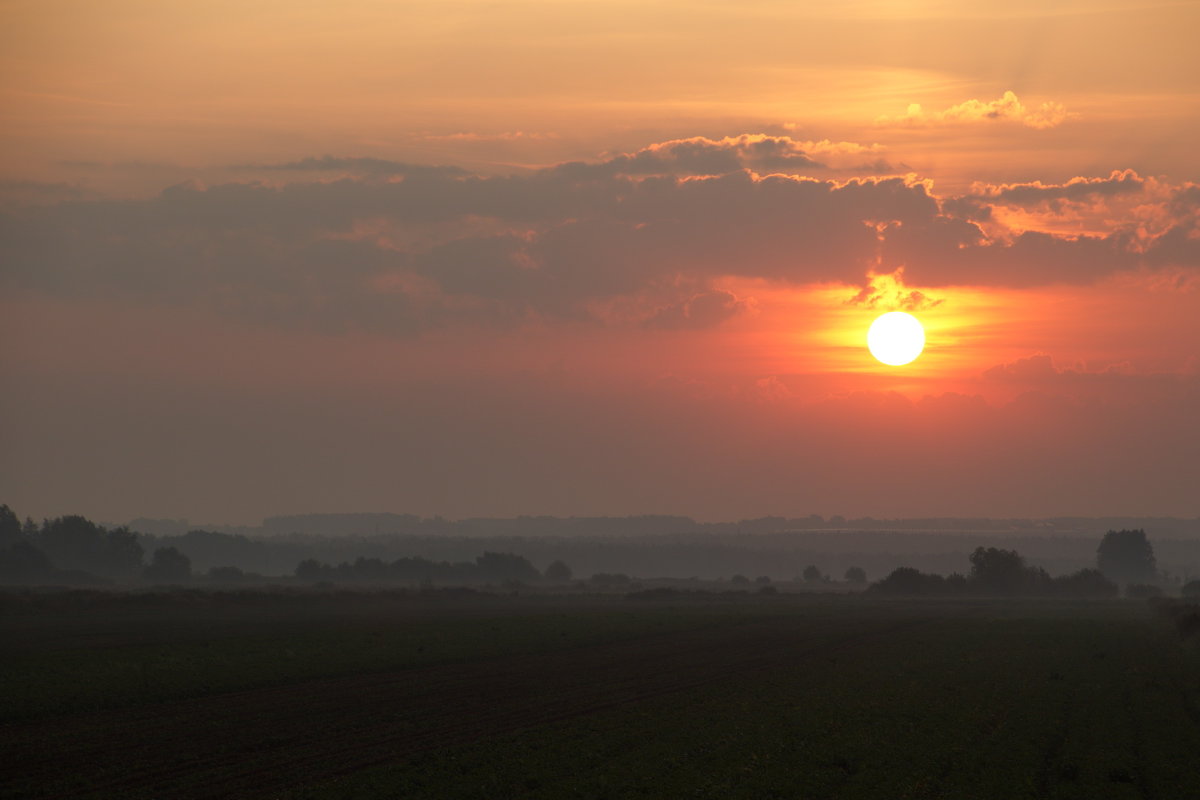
[446, 248]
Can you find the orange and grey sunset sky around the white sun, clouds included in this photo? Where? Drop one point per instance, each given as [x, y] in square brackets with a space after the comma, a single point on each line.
[595, 257]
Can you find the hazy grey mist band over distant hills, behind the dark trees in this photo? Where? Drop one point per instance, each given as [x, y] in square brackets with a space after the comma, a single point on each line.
[676, 548]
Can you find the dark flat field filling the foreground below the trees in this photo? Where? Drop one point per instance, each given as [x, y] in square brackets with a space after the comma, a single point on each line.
[460, 696]
